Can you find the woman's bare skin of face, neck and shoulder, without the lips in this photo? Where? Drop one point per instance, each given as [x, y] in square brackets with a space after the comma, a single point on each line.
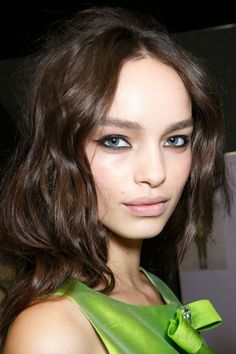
[148, 107]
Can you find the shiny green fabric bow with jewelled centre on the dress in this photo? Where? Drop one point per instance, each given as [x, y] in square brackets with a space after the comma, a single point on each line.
[197, 316]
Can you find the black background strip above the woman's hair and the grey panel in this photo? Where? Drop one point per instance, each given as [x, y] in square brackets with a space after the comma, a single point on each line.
[22, 24]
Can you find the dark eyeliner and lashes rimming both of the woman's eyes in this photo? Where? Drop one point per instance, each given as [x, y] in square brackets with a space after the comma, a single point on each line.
[103, 140]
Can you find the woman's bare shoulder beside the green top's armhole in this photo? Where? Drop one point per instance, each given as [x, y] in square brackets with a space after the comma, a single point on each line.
[51, 327]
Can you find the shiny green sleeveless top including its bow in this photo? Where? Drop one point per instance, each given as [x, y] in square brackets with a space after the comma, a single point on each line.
[151, 329]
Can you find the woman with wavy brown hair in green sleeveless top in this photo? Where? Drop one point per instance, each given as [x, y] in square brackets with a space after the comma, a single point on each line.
[122, 141]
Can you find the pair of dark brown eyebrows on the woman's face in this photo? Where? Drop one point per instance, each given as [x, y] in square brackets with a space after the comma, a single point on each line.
[127, 124]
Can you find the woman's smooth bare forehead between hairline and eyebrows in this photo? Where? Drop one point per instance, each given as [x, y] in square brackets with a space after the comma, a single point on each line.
[147, 87]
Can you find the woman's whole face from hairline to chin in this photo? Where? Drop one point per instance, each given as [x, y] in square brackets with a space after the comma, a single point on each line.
[140, 155]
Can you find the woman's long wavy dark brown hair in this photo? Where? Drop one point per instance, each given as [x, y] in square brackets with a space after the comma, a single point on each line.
[48, 211]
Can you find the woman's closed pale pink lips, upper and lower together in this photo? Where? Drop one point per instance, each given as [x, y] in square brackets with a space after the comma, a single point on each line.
[147, 206]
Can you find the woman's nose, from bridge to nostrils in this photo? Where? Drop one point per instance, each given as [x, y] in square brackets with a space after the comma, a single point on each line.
[150, 166]
